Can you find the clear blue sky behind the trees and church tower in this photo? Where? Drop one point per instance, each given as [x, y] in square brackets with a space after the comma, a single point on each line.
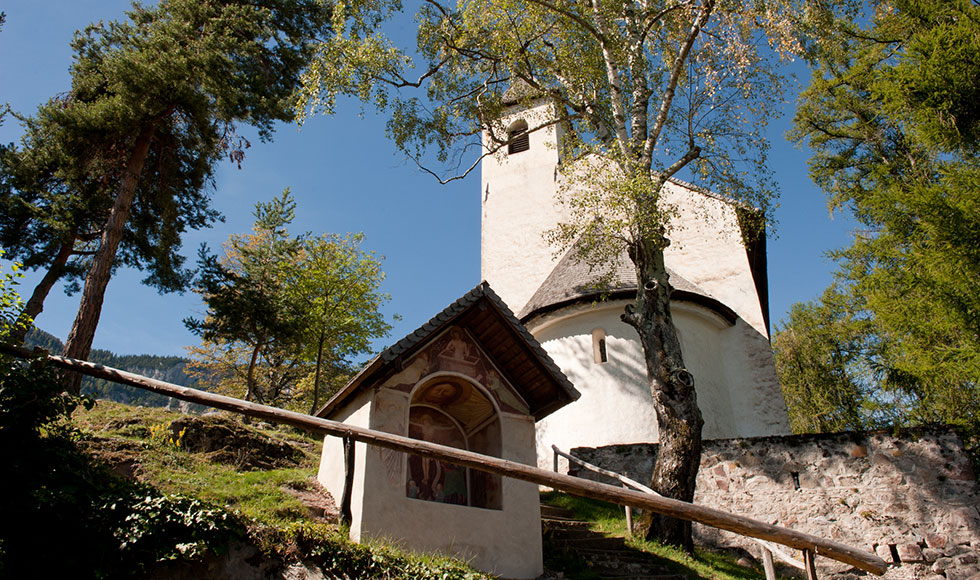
[347, 177]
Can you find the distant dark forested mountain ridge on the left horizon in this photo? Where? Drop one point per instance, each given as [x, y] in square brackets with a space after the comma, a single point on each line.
[164, 368]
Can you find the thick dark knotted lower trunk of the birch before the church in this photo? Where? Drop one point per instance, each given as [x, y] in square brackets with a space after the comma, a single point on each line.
[672, 387]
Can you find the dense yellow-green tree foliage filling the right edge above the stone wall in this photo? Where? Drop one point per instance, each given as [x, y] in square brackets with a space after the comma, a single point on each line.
[892, 116]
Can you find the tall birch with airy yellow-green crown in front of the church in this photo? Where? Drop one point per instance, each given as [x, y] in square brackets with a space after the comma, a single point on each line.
[648, 89]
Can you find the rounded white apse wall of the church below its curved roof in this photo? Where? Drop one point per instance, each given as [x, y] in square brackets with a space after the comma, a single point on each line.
[737, 388]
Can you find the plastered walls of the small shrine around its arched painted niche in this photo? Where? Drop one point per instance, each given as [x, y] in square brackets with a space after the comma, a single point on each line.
[505, 541]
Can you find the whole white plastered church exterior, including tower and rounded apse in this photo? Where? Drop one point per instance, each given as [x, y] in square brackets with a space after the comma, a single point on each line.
[720, 319]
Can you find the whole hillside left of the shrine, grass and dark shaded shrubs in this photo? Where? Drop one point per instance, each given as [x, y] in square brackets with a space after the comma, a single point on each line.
[122, 492]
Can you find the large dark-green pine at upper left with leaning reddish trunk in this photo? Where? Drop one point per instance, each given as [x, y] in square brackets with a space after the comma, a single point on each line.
[155, 102]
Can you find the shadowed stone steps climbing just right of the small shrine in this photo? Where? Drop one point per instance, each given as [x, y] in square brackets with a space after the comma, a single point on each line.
[607, 556]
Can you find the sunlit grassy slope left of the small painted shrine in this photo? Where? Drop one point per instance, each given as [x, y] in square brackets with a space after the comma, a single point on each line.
[139, 442]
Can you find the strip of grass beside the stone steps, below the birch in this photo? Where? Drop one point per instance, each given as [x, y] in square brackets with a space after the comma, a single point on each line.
[610, 519]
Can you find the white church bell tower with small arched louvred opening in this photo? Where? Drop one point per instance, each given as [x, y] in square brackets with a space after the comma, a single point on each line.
[519, 198]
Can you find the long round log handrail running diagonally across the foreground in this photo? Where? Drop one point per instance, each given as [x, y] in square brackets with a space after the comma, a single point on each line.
[811, 545]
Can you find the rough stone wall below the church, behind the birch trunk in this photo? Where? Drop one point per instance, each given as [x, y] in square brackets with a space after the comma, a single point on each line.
[912, 499]
